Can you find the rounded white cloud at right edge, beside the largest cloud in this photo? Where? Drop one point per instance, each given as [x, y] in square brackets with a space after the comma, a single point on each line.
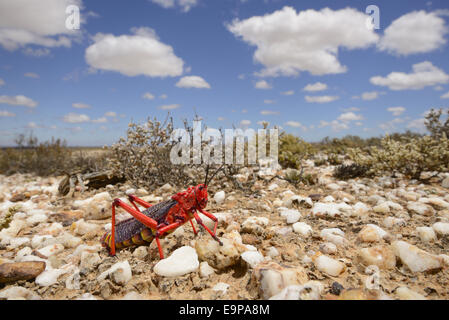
[414, 32]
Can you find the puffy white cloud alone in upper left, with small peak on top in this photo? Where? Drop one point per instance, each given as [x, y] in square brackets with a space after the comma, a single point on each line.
[138, 54]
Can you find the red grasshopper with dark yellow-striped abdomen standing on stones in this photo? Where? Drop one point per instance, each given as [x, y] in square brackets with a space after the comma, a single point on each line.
[159, 220]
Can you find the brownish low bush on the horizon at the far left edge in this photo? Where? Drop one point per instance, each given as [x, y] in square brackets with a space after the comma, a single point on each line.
[45, 158]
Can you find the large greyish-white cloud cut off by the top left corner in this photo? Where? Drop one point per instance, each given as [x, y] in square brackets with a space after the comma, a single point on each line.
[40, 23]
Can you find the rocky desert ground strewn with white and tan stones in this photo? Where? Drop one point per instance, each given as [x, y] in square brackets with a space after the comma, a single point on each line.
[382, 238]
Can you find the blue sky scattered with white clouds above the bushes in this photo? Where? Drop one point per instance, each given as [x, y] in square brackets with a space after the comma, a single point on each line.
[313, 71]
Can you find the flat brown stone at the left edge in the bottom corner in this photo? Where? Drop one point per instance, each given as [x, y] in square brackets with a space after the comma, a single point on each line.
[12, 272]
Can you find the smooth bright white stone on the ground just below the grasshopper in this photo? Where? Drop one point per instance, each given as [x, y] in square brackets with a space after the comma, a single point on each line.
[182, 261]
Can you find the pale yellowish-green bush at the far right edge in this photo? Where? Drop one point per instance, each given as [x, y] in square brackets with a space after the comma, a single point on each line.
[409, 156]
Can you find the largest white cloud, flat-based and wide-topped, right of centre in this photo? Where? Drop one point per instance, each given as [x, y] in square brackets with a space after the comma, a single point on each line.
[289, 42]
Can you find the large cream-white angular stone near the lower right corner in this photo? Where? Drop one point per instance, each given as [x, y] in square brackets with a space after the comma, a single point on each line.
[415, 259]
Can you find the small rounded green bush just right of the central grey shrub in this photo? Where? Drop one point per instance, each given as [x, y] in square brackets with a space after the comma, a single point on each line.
[292, 150]
